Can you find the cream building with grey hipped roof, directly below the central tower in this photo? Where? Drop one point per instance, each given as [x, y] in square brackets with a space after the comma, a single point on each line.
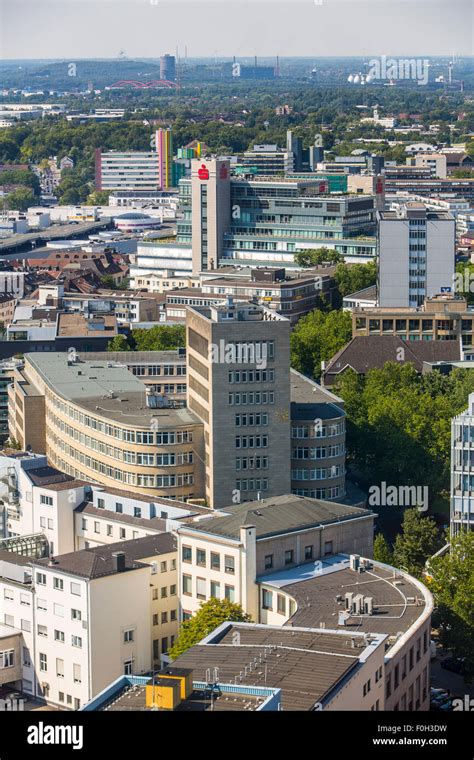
[225, 556]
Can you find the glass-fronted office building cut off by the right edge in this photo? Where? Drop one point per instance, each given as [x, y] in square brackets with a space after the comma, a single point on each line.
[462, 480]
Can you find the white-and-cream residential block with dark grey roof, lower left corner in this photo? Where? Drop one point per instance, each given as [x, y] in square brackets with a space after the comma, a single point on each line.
[64, 607]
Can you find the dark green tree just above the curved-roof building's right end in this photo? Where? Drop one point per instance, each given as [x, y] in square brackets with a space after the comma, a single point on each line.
[418, 541]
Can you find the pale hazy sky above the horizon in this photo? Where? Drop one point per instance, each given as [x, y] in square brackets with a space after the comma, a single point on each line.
[147, 28]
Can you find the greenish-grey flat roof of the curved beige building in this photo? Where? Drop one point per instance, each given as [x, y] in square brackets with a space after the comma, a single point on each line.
[111, 392]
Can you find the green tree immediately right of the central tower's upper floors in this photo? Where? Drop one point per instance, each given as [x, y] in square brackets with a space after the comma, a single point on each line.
[317, 337]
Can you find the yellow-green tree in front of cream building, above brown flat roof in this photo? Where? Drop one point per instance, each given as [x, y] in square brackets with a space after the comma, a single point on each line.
[208, 617]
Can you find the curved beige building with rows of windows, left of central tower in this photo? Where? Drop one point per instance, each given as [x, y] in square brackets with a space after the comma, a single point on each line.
[98, 423]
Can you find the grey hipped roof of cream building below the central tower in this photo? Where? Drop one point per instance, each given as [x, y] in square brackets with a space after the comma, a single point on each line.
[278, 515]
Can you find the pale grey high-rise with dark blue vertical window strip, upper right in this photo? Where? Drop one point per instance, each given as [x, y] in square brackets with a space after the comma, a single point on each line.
[416, 255]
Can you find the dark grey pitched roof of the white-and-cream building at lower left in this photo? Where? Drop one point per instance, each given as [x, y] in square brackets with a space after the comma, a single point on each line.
[98, 562]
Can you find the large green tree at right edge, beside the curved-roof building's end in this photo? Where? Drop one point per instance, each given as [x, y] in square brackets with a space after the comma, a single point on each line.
[450, 578]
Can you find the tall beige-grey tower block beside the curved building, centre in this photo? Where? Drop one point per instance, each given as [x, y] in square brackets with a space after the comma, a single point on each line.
[238, 385]
